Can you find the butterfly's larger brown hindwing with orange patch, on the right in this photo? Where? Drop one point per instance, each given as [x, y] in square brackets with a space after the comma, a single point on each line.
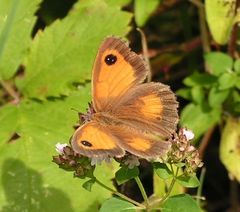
[151, 107]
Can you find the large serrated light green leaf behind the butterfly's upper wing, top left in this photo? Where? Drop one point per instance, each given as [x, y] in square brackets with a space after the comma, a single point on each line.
[64, 52]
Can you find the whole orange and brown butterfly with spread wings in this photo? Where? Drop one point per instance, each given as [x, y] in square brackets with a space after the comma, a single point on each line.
[129, 115]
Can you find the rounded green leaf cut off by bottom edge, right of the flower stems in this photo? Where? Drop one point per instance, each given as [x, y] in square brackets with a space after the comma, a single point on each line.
[180, 203]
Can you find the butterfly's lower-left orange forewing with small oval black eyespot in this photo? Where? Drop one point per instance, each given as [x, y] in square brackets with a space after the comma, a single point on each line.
[94, 140]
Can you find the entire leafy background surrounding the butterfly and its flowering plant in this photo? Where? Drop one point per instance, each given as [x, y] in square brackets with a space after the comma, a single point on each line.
[47, 49]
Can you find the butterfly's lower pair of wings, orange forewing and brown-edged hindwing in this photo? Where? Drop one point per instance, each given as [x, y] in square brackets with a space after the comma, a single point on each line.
[93, 140]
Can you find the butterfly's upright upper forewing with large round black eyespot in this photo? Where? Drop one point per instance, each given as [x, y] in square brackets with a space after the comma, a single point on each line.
[116, 70]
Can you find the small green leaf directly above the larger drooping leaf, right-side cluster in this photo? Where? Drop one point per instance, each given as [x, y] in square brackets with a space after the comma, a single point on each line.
[216, 97]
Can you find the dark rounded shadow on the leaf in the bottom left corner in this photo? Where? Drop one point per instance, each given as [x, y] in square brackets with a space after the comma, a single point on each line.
[24, 190]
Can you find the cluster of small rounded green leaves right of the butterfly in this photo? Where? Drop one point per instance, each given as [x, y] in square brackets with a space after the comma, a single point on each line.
[210, 94]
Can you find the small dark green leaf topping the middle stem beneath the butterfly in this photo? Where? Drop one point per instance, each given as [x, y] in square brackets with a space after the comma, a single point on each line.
[124, 174]
